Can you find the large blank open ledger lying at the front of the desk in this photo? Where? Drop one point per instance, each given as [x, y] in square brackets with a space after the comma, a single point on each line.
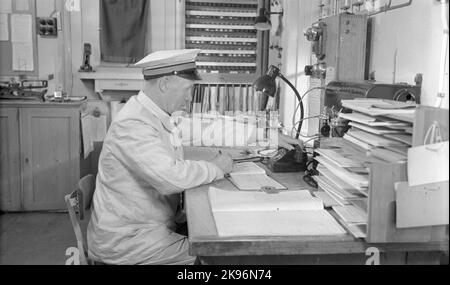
[288, 213]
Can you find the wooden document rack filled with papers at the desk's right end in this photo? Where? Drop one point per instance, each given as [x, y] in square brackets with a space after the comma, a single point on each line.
[348, 165]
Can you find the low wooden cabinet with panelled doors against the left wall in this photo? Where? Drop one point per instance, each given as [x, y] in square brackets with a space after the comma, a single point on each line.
[40, 156]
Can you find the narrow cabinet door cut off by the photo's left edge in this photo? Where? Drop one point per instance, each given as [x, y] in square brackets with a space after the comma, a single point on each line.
[10, 196]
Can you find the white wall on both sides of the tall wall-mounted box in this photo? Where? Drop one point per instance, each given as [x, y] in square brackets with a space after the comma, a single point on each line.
[412, 33]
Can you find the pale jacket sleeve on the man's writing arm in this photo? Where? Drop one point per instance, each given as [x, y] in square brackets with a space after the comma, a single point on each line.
[140, 147]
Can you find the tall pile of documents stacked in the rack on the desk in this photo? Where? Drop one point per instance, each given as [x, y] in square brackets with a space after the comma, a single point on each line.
[381, 130]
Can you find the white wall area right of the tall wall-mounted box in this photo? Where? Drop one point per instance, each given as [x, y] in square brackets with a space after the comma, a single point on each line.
[414, 34]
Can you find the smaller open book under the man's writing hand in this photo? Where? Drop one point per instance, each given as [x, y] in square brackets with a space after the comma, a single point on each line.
[249, 176]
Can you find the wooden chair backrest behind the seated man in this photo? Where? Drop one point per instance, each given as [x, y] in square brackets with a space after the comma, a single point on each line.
[77, 202]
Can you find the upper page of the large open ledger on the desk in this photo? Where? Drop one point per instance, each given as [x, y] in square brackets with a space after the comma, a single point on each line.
[228, 201]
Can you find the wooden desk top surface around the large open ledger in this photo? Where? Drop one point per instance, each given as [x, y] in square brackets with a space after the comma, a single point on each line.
[204, 240]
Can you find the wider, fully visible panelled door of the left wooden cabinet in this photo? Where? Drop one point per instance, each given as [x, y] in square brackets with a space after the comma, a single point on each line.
[50, 156]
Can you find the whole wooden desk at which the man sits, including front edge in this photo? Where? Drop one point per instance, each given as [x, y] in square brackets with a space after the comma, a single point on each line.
[205, 243]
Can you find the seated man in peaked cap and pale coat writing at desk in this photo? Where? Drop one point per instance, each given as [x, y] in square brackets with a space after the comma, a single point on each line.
[142, 171]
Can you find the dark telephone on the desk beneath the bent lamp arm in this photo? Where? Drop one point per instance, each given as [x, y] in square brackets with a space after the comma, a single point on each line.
[288, 160]
